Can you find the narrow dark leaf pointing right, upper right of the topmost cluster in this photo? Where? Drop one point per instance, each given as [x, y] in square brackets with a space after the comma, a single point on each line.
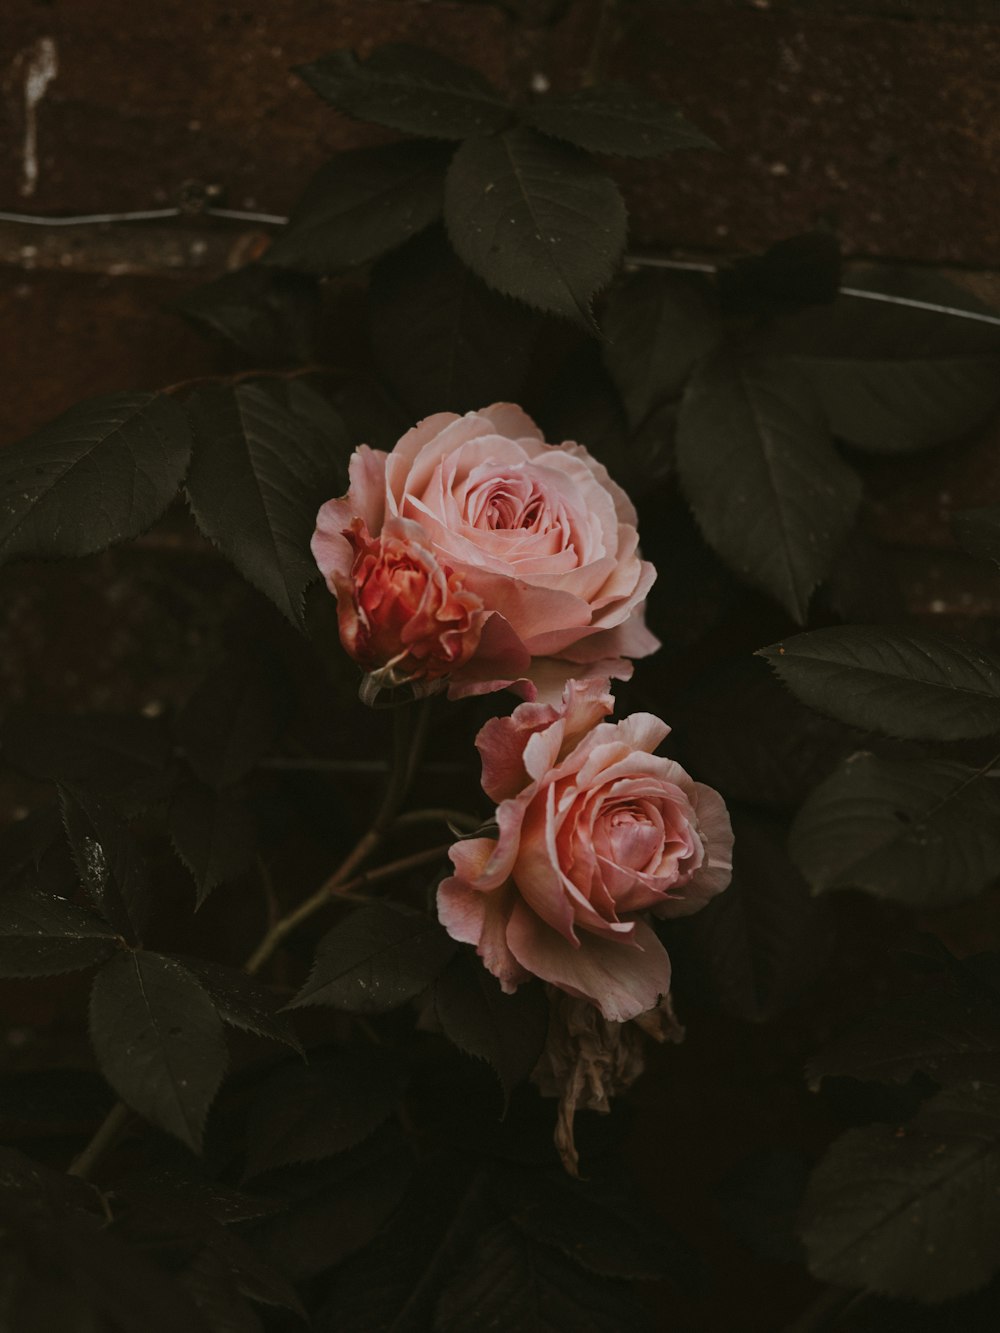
[615, 119]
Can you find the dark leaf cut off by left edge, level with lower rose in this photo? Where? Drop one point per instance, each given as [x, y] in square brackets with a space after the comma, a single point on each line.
[42, 936]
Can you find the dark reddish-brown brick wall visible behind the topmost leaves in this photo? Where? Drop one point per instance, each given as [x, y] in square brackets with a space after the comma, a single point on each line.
[879, 119]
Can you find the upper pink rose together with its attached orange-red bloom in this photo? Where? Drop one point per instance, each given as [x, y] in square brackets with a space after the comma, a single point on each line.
[477, 554]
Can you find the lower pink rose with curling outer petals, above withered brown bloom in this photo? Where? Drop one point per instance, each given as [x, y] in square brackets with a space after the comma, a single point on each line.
[594, 830]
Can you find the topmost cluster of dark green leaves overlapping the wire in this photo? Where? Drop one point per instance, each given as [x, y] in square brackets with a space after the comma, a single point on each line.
[525, 205]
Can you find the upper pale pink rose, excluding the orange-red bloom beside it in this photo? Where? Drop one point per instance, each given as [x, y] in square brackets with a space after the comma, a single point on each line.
[538, 533]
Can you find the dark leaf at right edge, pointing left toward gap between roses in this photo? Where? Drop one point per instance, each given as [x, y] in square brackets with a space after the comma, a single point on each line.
[905, 683]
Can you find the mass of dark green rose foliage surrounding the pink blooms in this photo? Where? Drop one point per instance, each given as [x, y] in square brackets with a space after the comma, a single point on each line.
[342, 1128]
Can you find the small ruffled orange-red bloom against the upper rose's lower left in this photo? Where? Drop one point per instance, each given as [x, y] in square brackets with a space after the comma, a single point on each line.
[403, 617]
